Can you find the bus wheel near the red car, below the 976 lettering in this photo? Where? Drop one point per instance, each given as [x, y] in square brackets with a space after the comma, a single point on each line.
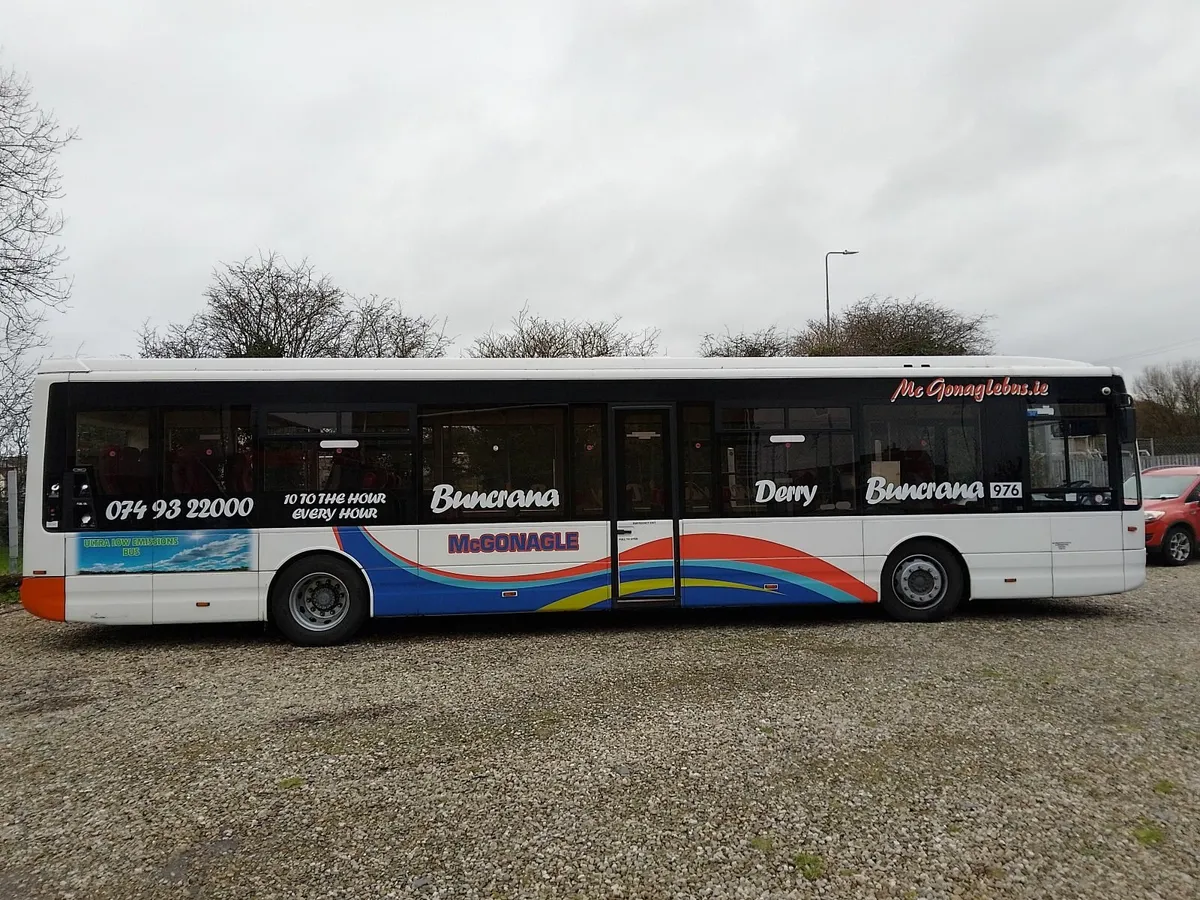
[922, 581]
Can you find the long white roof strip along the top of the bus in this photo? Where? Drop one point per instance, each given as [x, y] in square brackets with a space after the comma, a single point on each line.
[615, 368]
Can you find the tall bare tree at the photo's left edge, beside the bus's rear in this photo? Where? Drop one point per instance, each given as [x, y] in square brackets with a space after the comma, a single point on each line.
[32, 284]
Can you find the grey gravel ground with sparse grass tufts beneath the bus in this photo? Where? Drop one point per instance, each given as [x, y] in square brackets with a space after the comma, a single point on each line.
[1040, 749]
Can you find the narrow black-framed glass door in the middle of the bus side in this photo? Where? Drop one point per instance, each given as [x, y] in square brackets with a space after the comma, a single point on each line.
[645, 525]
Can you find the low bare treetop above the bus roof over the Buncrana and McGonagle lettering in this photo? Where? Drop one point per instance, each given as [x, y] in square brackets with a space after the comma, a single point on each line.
[538, 338]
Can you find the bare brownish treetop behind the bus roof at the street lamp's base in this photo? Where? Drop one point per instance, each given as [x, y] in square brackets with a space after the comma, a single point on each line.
[873, 327]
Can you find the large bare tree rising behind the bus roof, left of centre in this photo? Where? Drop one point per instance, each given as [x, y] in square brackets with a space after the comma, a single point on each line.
[269, 308]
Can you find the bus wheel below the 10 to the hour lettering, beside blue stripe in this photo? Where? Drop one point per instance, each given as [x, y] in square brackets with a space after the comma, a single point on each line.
[320, 601]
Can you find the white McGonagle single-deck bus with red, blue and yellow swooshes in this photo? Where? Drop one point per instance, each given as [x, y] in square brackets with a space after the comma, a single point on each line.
[317, 494]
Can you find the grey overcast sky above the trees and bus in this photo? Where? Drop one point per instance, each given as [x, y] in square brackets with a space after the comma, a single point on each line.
[681, 164]
